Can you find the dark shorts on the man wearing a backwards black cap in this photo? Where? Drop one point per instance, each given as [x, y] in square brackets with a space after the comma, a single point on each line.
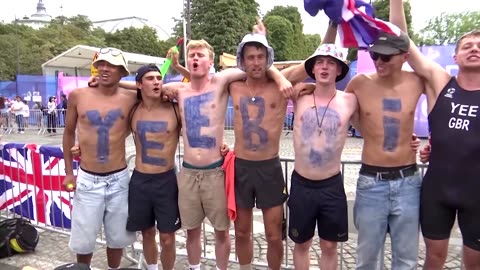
[153, 198]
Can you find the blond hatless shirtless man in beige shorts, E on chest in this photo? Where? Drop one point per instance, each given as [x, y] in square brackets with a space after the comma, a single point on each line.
[203, 104]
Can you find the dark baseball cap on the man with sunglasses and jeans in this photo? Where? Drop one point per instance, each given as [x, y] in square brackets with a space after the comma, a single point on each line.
[388, 44]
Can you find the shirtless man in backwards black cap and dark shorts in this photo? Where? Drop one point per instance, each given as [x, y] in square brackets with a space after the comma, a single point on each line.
[153, 191]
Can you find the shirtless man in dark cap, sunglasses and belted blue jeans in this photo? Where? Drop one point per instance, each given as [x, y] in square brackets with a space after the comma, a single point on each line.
[388, 187]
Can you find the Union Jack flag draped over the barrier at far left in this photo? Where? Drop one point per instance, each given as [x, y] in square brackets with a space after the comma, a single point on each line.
[31, 179]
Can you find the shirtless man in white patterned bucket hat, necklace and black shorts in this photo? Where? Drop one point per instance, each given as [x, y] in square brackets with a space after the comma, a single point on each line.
[317, 195]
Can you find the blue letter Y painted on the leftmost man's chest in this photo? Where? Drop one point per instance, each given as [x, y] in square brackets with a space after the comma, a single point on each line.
[103, 128]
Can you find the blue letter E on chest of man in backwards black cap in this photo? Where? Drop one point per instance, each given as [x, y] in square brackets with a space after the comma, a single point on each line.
[144, 127]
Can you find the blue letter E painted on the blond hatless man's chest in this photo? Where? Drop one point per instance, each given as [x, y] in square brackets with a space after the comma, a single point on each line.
[195, 120]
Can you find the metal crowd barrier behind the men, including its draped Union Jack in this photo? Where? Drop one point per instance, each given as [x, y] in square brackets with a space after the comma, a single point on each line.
[31, 179]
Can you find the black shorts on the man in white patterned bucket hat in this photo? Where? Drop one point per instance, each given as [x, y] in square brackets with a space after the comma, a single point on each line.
[320, 202]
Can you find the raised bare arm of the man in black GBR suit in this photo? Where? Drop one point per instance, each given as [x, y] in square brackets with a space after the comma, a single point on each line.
[436, 77]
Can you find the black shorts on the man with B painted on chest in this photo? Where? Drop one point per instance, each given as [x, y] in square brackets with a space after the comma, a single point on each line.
[261, 182]
